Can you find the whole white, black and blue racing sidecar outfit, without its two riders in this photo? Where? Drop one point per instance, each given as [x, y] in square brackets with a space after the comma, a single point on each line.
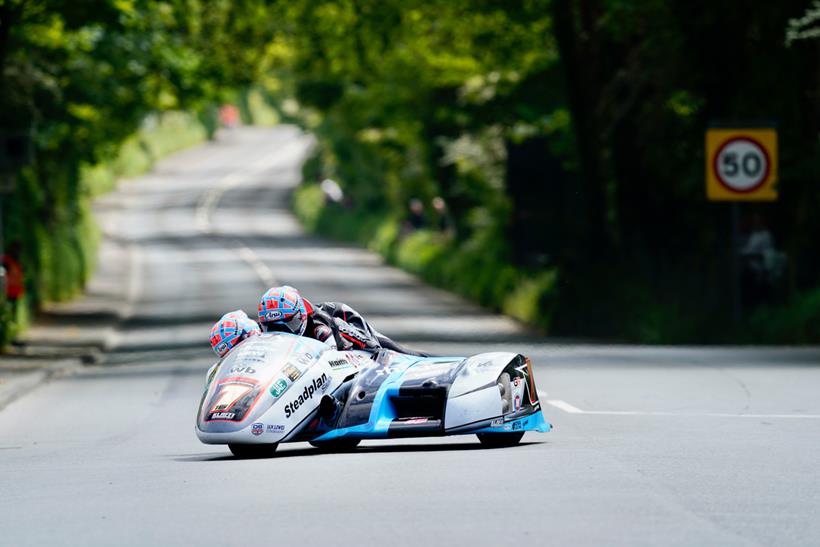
[284, 388]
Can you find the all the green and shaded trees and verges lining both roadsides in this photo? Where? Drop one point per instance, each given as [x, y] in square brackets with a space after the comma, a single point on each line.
[565, 137]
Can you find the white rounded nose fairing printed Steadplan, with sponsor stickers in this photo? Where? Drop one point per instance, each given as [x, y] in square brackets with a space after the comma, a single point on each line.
[278, 380]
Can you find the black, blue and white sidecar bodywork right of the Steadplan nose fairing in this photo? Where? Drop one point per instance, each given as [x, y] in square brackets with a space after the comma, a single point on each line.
[408, 397]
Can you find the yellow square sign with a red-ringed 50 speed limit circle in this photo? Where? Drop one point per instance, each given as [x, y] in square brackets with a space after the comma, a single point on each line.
[741, 164]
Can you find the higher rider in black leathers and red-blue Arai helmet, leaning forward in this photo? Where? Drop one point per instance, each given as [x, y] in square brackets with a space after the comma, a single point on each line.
[283, 309]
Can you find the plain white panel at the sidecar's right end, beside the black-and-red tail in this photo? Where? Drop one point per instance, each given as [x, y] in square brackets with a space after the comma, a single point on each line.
[474, 395]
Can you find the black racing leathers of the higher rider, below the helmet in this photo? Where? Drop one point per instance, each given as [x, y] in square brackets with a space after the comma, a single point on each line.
[348, 329]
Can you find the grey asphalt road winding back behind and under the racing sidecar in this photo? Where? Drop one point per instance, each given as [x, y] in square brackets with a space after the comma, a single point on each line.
[651, 446]
